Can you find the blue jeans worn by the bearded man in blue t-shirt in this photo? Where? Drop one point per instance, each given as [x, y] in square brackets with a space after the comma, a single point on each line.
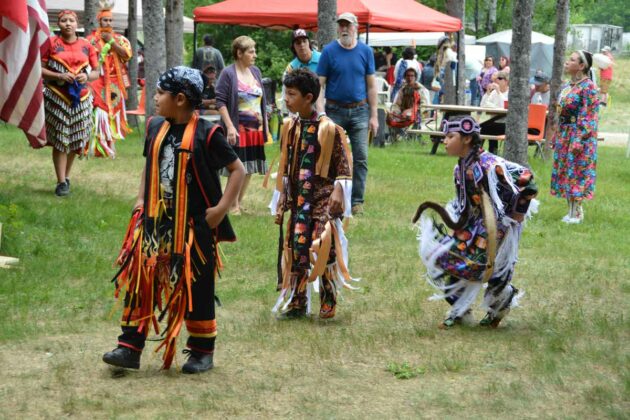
[355, 122]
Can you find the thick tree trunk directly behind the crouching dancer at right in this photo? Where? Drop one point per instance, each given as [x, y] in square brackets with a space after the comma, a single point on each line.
[516, 124]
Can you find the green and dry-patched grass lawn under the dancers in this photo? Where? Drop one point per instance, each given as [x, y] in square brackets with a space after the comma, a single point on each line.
[563, 354]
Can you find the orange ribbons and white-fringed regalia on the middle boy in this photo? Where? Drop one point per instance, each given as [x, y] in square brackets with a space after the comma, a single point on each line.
[332, 240]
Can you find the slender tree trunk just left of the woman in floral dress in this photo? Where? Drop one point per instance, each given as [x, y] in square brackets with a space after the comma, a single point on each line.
[559, 49]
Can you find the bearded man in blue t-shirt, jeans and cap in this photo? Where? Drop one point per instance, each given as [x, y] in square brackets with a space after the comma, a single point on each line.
[346, 73]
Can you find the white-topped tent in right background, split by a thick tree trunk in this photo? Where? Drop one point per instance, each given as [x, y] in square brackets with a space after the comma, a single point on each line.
[498, 44]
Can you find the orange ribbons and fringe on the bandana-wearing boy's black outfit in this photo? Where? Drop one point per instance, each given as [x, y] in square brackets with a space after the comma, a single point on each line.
[151, 277]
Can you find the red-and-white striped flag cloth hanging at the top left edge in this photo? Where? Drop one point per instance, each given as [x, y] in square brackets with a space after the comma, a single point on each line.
[24, 36]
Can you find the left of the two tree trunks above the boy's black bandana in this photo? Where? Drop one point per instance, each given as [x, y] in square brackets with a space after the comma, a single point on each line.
[154, 49]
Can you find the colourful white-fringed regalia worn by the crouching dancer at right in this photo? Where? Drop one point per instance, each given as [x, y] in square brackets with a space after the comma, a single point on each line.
[486, 247]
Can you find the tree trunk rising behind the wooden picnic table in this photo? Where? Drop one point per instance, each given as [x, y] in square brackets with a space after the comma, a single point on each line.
[455, 94]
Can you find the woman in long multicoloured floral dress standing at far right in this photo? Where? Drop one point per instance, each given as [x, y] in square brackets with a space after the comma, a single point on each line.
[575, 141]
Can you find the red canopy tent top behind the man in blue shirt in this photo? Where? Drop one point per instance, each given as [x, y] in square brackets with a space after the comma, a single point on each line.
[377, 15]
